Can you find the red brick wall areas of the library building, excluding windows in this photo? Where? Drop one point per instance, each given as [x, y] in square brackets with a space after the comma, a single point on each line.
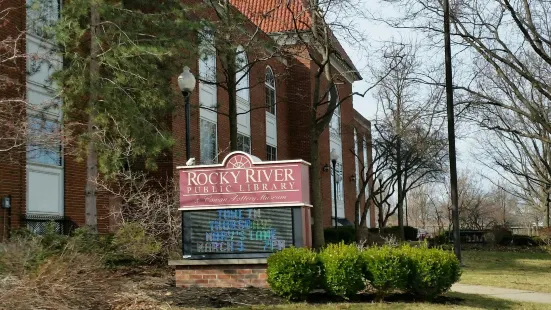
[294, 90]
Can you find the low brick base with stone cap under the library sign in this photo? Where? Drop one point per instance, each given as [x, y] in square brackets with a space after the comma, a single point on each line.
[237, 273]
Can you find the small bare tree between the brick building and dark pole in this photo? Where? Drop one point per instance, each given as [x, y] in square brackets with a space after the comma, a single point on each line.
[409, 131]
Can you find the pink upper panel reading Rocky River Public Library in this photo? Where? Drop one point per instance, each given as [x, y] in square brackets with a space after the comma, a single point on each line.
[243, 180]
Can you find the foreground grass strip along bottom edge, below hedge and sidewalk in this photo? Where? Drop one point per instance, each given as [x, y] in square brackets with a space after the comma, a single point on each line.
[460, 302]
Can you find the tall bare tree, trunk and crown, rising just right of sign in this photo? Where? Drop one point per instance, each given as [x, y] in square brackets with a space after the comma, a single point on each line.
[311, 37]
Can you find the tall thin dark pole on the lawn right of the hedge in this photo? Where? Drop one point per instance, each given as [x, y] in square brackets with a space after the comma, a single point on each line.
[451, 131]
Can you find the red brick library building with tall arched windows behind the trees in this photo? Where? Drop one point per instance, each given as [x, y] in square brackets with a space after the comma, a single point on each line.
[51, 183]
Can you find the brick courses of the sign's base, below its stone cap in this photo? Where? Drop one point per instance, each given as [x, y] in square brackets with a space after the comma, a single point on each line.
[221, 276]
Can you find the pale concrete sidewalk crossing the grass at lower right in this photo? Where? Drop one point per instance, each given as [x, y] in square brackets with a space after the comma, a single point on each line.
[504, 293]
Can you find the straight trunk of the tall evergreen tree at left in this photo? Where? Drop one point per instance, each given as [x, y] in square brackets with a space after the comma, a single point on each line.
[91, 219]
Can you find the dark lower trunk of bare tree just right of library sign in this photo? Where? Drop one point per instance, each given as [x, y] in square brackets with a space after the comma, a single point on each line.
[315, 177]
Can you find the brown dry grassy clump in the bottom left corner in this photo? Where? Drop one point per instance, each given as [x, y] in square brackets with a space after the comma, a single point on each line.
[68, 281]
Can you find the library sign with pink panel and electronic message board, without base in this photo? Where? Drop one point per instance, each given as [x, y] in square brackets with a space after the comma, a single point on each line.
[244, 207]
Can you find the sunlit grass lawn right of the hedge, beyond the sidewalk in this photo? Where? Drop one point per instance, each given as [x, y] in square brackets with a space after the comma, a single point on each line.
[528, 271]
